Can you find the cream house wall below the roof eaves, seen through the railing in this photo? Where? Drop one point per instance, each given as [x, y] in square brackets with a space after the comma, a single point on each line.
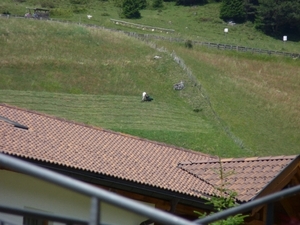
[22, 191]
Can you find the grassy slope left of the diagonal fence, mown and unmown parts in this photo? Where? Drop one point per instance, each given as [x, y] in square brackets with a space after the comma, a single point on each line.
[106, 72]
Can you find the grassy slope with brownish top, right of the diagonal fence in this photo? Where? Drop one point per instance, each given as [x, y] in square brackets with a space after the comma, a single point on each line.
[256, 97]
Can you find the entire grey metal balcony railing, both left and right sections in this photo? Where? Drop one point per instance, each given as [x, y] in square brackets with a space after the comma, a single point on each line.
[98, 195]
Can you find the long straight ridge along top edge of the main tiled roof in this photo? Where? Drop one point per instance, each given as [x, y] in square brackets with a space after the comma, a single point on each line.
[107, 130]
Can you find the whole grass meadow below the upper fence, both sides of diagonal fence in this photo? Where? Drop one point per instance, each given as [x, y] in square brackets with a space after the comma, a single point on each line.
[247, 104]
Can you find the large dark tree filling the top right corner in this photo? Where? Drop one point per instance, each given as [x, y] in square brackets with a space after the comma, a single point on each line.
[277, 17]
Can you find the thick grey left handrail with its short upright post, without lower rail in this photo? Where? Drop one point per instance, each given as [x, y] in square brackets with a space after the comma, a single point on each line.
[95, 193]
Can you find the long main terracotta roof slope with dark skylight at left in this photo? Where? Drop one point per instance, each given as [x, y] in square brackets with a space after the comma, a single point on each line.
[75, 145]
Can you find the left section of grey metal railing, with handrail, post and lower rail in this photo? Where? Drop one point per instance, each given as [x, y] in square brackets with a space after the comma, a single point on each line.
[95, 193]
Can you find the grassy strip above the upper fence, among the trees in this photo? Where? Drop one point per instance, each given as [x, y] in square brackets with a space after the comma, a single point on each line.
[200, 23]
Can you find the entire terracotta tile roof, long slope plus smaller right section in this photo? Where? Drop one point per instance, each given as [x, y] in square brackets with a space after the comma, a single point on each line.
[122, 156]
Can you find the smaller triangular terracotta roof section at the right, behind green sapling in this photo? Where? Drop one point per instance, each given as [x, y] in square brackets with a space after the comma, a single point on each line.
[246, 176]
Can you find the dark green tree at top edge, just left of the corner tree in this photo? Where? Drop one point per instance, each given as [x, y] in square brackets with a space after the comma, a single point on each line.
[233, 10]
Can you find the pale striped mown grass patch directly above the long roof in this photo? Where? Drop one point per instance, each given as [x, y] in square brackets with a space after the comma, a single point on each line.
[158, 121]
